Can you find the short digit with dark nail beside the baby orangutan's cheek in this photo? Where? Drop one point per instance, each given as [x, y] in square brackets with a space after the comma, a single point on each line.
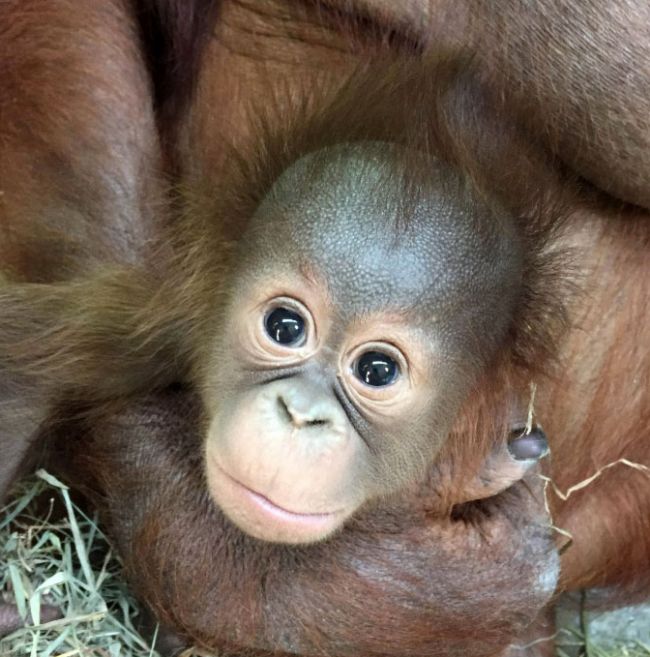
[508, 463]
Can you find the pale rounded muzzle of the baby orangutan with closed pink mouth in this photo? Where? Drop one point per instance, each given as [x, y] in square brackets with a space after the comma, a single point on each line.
[277, 482]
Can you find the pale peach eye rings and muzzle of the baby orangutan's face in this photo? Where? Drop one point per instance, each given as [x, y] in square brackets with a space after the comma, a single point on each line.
[297, 452]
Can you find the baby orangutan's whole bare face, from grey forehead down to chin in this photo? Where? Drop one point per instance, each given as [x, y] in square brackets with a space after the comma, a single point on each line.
[352, 336]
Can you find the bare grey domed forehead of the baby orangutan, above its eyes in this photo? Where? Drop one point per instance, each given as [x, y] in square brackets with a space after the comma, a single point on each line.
[347, 216]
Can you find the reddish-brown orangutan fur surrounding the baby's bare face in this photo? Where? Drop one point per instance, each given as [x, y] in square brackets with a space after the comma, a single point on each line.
[97, 251]
